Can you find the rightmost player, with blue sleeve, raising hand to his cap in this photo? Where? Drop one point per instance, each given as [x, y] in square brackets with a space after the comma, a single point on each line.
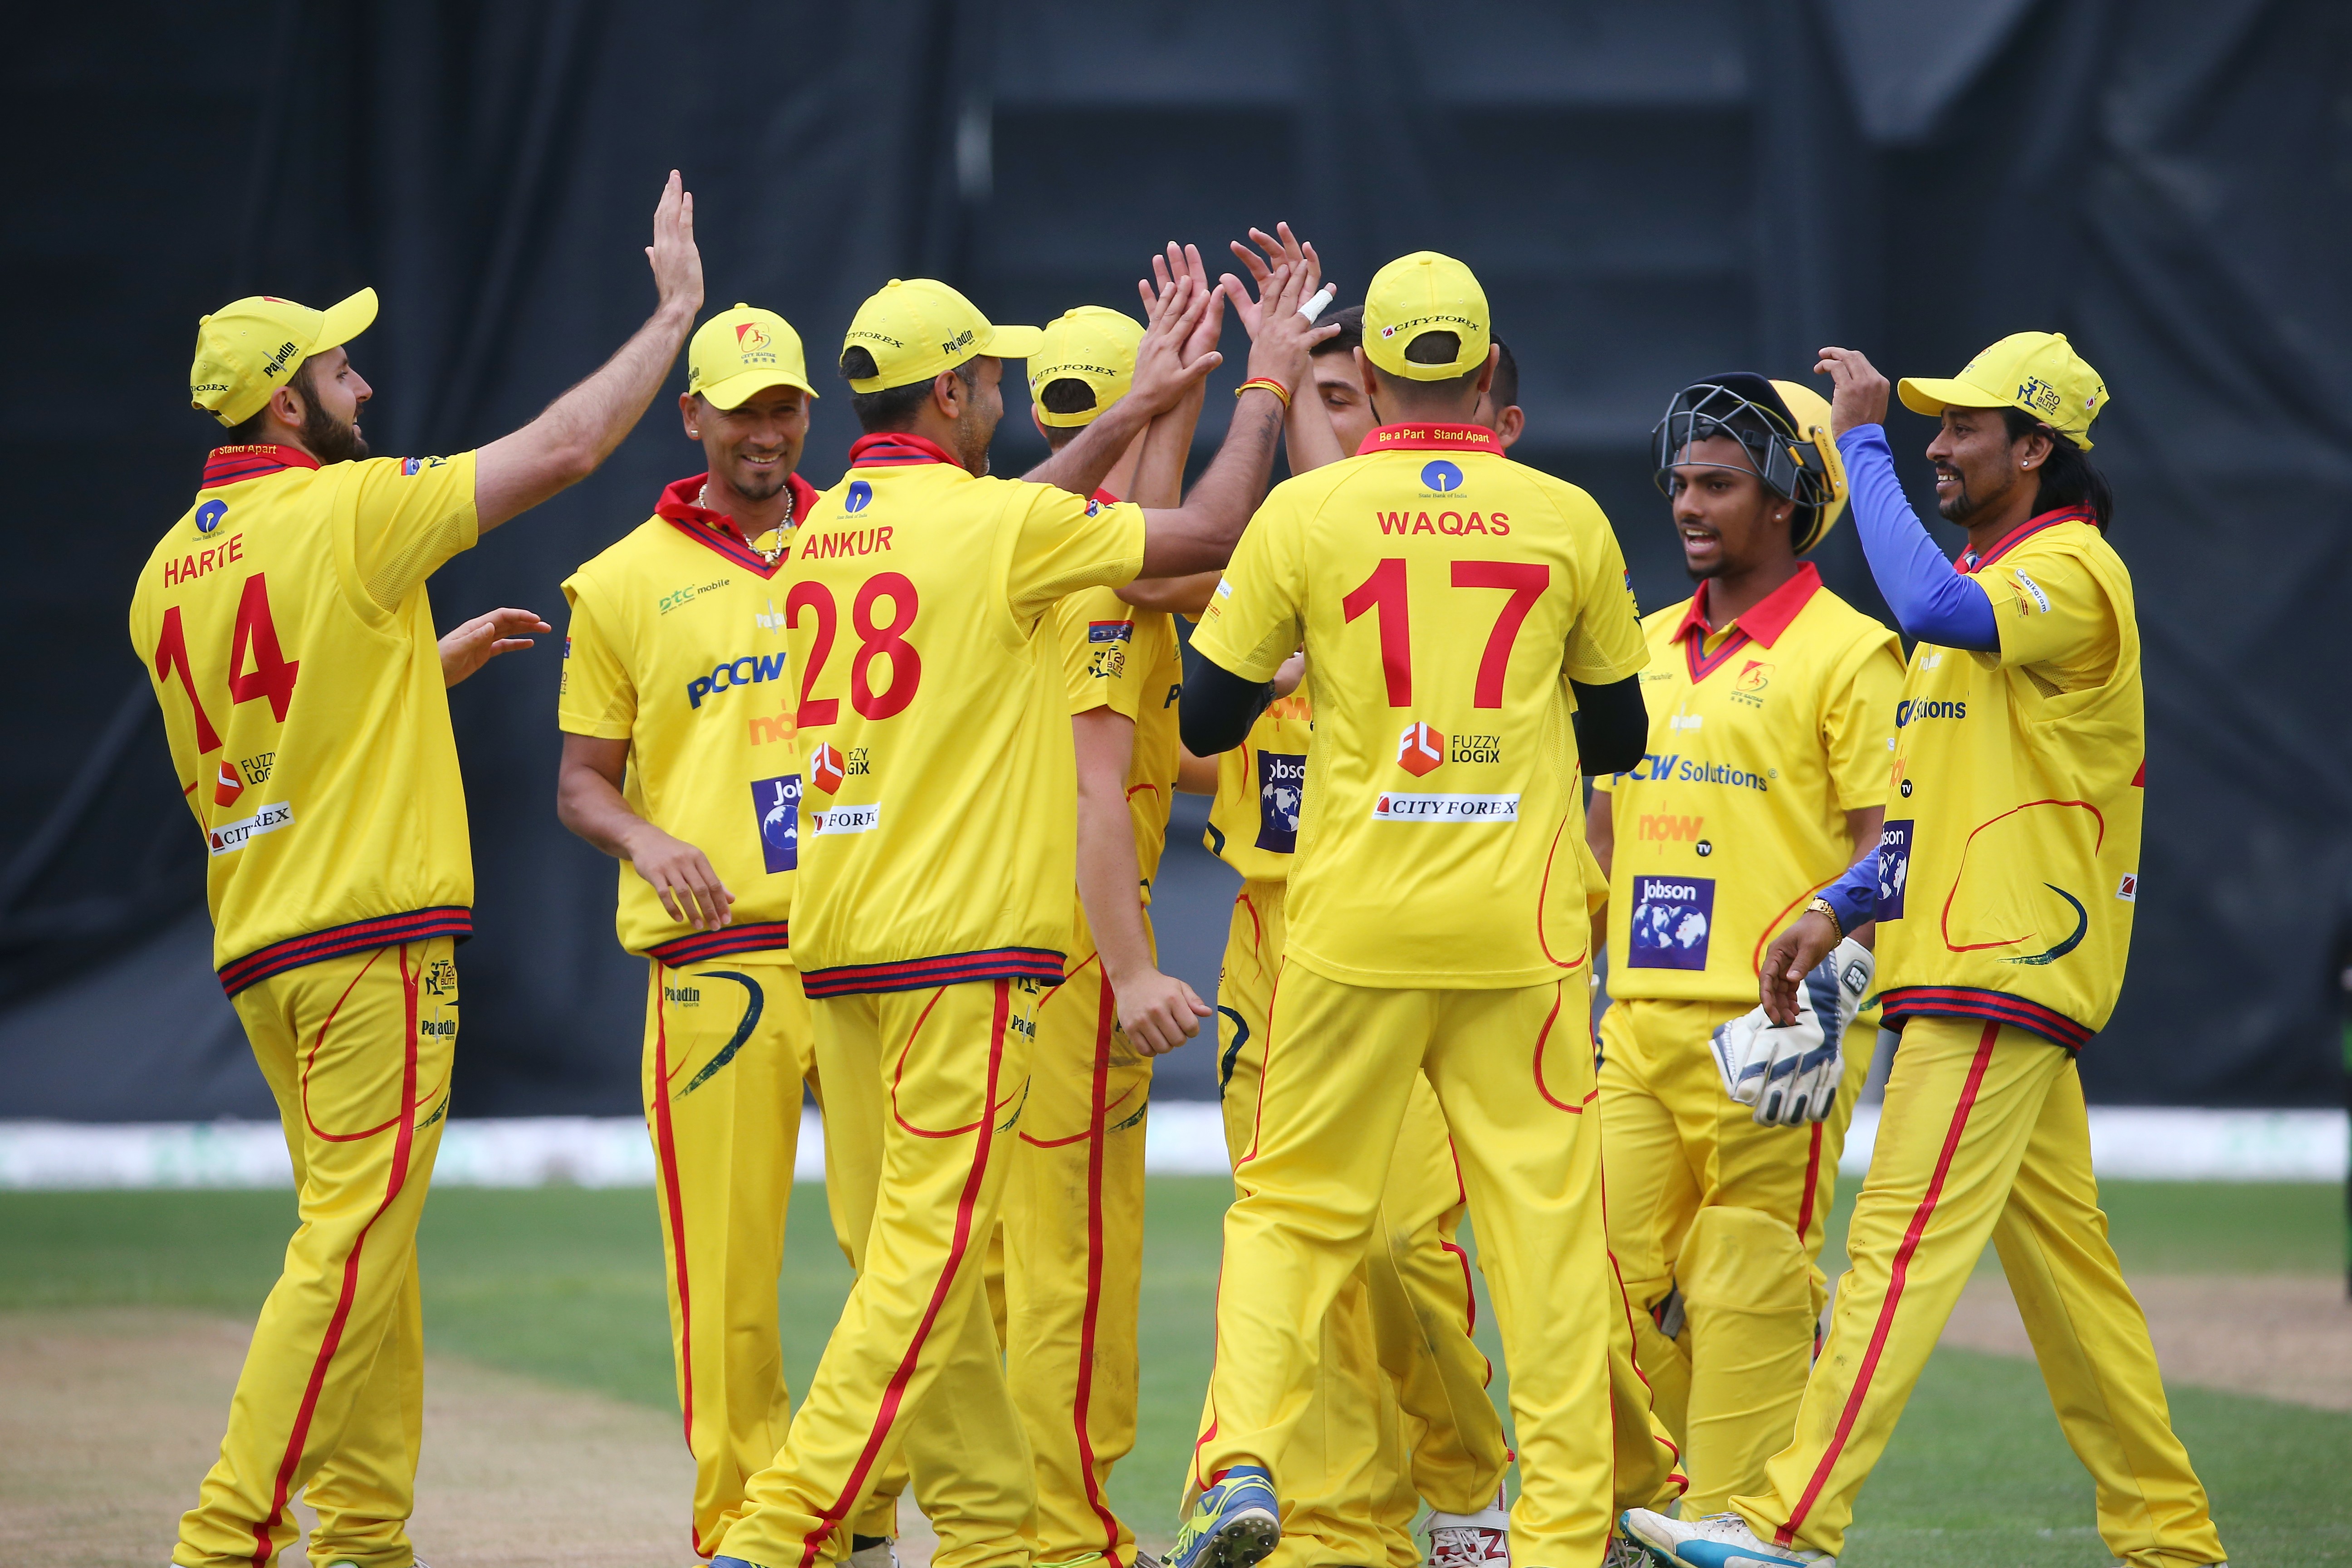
[2003, 897]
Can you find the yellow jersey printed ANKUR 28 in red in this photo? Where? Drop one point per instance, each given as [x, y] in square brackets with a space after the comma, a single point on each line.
[940, 793]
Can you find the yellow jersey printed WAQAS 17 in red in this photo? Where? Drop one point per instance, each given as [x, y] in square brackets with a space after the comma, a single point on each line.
[1441, 594]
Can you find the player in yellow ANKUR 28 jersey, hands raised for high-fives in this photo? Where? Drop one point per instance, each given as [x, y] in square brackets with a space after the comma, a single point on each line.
[937, 847]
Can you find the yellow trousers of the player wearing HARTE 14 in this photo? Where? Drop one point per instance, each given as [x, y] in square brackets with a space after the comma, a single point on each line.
[330, 1402]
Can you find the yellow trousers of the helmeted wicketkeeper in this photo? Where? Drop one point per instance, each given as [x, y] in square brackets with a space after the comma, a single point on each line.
[1730, 1214]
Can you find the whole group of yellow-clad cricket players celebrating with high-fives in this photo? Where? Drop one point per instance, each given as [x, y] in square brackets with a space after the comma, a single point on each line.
[888, 775]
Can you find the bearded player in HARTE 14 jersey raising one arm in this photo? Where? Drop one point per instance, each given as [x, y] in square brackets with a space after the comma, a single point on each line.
[290, 638]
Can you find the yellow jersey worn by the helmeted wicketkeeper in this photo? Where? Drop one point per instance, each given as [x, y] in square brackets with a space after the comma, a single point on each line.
[1763, 737]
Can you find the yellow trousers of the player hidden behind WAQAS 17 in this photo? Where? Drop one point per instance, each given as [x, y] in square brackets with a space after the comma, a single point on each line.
[1401, 1407]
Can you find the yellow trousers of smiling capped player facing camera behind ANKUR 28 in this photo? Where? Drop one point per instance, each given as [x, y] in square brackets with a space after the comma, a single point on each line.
[726, 1057]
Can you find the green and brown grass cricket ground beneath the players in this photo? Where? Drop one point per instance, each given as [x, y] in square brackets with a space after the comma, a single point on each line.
[554, 1430]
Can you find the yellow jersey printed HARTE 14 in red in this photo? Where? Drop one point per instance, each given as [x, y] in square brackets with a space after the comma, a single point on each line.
[290, 641]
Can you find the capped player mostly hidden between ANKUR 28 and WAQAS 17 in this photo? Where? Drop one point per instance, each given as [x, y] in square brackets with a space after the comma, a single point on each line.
[1074, 1202]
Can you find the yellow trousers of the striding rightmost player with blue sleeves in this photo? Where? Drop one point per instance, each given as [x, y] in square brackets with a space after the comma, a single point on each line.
[1984, 1134]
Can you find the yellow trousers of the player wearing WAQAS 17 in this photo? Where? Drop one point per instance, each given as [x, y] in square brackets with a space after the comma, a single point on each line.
[1514, 1076]
